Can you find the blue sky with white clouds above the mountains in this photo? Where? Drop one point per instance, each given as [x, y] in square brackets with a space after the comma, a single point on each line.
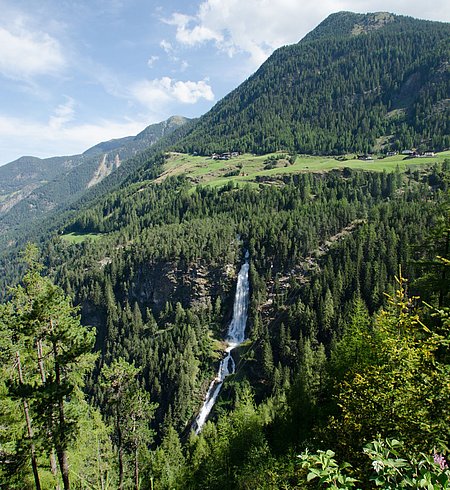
[74, 73]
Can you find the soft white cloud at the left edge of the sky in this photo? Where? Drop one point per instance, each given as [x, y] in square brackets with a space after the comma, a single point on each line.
[25, 54]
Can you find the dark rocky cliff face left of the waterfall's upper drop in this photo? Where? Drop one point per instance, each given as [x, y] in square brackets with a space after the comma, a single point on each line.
[153, 284]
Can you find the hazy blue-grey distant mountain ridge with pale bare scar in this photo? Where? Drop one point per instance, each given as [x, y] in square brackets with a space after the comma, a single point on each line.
[31, 187]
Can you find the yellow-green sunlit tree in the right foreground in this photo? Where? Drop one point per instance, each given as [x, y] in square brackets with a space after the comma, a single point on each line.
[404, 390]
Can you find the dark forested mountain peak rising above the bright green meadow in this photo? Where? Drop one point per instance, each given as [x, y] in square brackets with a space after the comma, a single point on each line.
[356, 83]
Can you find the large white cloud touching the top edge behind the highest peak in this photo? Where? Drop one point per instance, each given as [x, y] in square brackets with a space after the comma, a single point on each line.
[257, 27]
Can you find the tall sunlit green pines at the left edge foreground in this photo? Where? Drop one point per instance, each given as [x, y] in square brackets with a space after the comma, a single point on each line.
[51, 352]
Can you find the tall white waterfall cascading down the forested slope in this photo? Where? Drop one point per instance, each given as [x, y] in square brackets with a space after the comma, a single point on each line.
[235, 336]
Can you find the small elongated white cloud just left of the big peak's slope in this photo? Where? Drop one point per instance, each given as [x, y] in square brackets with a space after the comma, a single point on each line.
[155, 93]
